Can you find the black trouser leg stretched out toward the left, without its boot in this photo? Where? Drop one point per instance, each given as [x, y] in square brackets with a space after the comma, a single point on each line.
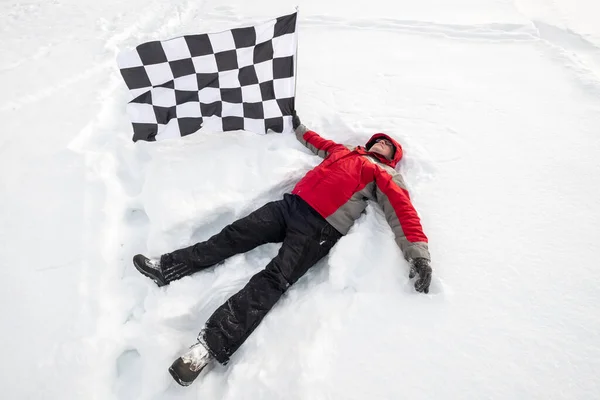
[264, 225]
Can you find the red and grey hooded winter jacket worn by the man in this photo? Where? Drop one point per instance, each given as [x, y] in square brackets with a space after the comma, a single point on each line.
[340, 186]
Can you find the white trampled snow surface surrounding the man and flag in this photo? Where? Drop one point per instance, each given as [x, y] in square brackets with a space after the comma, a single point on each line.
[497, 105]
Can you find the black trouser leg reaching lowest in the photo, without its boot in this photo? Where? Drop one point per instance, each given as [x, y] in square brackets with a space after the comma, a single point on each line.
[308, 239]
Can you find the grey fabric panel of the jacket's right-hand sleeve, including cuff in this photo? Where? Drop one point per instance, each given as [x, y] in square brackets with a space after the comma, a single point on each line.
[409, 250]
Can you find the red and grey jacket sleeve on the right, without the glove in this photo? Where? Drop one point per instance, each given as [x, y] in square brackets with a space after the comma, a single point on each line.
[393, 197]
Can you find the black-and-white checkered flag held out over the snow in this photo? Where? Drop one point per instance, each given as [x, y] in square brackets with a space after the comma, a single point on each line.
[242, 78]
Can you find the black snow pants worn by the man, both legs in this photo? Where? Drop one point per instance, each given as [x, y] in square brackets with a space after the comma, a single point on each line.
[307, 237]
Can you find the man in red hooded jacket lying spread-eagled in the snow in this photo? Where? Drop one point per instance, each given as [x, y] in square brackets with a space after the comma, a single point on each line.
[320, 210]
